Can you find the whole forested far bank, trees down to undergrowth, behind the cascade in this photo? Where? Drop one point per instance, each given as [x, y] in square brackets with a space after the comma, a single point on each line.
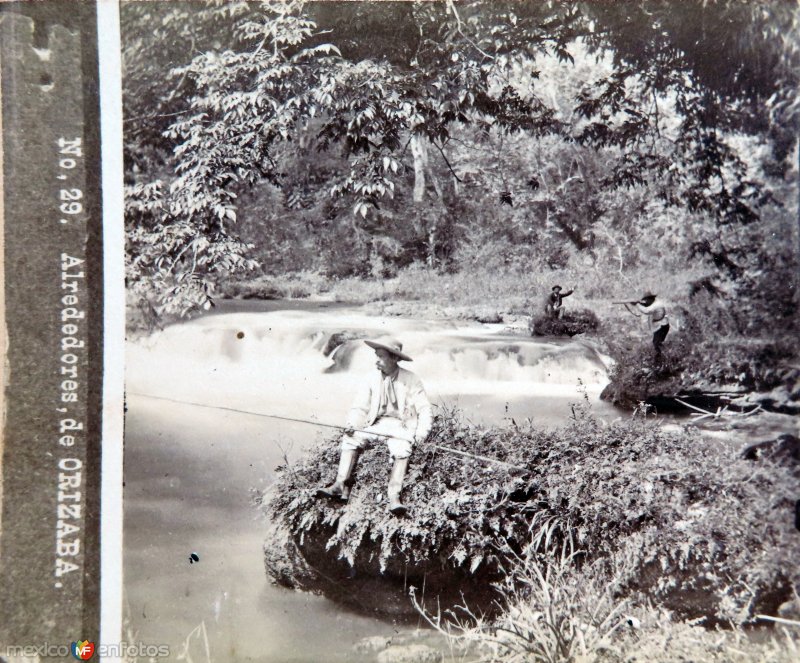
[471, 153]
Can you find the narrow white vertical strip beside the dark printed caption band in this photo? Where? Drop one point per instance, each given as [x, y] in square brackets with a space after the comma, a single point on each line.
[109, 55]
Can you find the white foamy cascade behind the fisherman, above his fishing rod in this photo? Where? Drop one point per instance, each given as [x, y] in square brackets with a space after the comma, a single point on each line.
[274, 362]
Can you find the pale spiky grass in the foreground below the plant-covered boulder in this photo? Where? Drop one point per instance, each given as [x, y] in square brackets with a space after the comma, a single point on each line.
[556, 611]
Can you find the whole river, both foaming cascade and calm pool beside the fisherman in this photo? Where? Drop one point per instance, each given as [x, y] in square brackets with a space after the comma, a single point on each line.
[194, 451]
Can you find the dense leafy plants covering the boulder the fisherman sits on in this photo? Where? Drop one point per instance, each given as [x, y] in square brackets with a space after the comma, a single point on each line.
[678, 518]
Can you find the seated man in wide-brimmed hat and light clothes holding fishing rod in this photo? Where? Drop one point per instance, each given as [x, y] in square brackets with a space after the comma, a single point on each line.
[393, 407]
